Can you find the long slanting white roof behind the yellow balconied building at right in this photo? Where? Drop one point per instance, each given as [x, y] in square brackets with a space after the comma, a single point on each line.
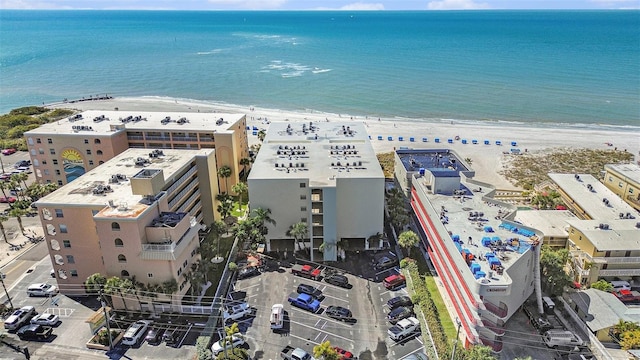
[592, 196]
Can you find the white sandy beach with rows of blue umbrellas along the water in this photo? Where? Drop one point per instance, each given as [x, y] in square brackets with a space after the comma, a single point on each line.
[487, 160]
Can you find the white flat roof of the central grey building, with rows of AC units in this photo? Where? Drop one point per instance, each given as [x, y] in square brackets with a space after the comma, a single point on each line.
[318, 151]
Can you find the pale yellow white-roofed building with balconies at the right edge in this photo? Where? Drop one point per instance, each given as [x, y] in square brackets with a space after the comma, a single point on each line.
[605, 239]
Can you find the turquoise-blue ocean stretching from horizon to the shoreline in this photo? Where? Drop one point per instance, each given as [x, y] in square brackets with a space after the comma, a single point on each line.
[575, 68]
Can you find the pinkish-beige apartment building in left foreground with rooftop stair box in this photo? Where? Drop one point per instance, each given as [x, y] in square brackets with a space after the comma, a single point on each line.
[137, 215]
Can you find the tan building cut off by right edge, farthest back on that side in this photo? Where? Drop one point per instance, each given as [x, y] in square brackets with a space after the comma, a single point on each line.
[624, 181]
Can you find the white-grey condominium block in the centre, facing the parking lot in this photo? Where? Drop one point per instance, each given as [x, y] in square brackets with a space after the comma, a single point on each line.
[324, 174]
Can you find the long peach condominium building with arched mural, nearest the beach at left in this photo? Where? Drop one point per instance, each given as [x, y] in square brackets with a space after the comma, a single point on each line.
[63, 150]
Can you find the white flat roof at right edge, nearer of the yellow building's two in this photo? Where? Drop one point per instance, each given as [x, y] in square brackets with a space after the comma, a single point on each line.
[618, 234]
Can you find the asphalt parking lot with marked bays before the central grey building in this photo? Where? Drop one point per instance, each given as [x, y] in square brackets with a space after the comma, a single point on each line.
[366, 337]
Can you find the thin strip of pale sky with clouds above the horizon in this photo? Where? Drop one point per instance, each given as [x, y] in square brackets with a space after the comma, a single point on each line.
[346, 5]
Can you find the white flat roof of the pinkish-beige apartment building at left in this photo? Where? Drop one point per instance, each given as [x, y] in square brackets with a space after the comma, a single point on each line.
[89, 190]
